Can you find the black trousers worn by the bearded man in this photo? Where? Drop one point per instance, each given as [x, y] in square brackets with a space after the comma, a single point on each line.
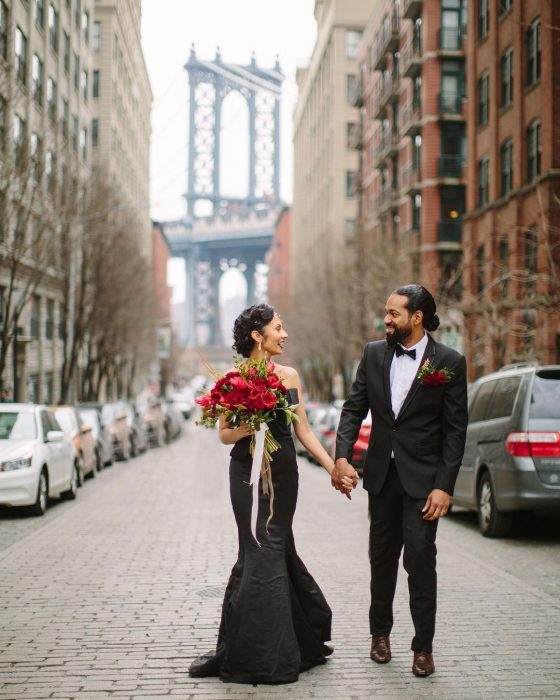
[396, 521]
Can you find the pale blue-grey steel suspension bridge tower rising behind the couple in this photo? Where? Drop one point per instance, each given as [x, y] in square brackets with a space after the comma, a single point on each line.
[221, 232]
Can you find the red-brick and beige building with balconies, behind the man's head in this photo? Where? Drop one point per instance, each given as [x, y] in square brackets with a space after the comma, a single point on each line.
[413, 139]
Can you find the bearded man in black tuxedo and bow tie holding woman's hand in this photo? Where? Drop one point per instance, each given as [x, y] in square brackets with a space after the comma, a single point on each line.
[416, 390]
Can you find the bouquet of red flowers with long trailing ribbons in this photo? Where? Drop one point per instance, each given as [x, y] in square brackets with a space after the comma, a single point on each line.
[252, 393]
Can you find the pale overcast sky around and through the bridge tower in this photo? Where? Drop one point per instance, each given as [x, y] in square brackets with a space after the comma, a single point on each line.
[169, 27]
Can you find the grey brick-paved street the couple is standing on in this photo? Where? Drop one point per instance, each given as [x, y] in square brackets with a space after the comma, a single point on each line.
[116, 595]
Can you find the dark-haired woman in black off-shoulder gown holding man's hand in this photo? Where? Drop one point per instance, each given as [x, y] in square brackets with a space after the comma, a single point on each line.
[275, 620]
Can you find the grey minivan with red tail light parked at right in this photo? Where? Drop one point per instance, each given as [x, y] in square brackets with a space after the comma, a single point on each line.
[512, 454]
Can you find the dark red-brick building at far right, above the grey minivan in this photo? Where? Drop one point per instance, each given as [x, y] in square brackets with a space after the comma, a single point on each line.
[512, 227]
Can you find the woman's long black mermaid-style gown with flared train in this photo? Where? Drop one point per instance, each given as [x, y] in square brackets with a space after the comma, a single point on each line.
[275, 619]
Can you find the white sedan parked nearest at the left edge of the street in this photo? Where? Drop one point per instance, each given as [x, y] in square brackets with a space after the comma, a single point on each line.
[37, 460]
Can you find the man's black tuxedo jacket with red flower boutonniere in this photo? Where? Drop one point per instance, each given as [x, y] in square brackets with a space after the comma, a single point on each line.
[428, 435]
